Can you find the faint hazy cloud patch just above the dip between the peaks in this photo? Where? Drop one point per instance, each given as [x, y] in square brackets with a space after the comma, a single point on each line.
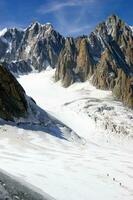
[73, 23]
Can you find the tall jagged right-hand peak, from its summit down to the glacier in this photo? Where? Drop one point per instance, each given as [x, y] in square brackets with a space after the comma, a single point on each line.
[114, 70]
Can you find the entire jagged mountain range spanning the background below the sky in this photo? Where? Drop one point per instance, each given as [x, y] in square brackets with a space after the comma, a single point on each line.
[106, 54]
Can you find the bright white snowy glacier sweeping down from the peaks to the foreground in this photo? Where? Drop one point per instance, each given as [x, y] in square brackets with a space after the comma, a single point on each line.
[98, 167]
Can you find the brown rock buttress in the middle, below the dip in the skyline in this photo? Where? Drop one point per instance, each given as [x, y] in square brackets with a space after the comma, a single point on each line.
[75, 62]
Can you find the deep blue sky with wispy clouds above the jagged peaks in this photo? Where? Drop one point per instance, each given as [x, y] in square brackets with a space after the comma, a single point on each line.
[69, 17]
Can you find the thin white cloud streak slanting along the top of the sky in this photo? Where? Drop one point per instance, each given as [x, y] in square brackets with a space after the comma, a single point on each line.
[57, 5]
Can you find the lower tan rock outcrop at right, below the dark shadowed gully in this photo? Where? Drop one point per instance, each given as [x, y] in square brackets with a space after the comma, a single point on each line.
[110, 74]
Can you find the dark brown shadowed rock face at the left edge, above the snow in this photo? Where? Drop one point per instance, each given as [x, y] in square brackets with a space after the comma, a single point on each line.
[12, 96]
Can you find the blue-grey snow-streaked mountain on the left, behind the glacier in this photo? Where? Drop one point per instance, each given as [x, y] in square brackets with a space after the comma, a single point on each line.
[38, 46]
